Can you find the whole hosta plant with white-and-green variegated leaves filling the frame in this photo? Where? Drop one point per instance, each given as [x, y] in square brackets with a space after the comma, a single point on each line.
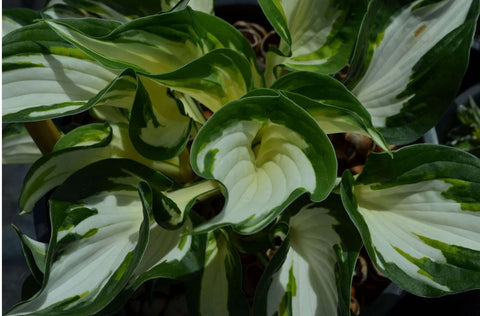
[127, 191]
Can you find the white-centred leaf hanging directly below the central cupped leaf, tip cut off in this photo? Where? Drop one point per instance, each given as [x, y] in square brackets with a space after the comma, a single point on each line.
[311, 273]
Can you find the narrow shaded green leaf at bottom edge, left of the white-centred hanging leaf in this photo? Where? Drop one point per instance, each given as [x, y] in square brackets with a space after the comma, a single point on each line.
[219, 291]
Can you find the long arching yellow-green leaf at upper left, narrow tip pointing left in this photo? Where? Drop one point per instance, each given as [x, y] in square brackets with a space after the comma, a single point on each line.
[158, 44]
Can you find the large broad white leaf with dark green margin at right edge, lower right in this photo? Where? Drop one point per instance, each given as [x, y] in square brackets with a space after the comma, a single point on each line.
[419, 217]
